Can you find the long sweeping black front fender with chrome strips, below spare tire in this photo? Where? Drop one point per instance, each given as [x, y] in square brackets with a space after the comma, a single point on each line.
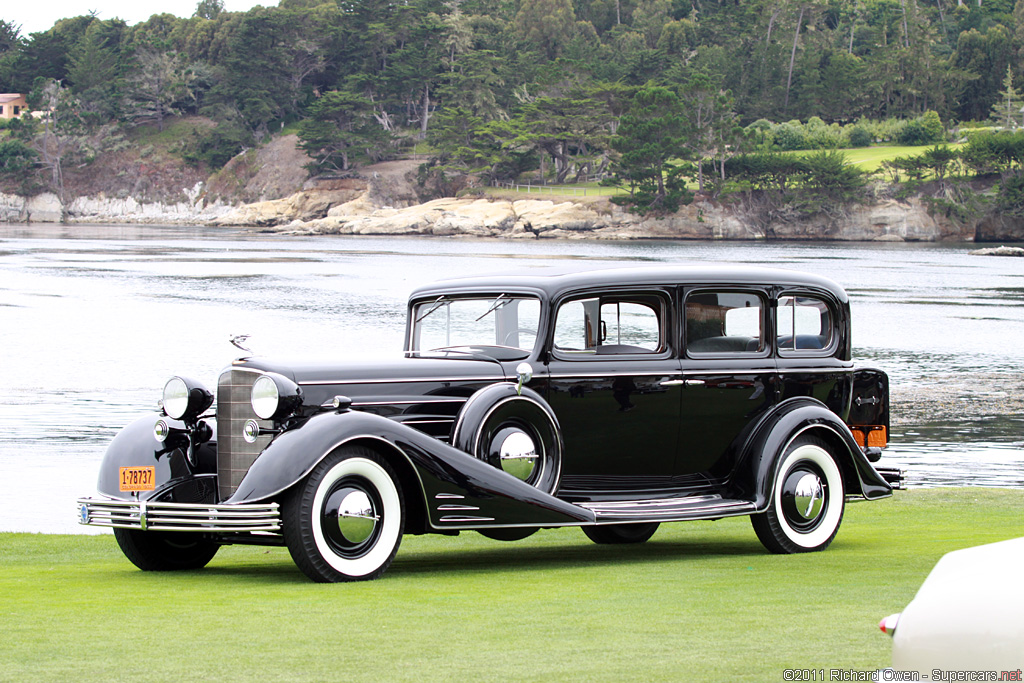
[458, 490]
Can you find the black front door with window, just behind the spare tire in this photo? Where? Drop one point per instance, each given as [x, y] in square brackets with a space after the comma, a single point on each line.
[614, 382]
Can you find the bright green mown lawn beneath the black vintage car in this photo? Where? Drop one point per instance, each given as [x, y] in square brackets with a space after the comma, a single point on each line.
[702, 602]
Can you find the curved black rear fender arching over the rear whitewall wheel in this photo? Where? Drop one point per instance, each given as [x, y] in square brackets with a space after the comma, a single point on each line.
[796, 417]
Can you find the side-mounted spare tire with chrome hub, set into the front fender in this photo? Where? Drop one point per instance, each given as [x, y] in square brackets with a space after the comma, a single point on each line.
[516, 433]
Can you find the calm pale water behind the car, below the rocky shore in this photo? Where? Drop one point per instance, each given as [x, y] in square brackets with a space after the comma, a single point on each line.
[94, 320]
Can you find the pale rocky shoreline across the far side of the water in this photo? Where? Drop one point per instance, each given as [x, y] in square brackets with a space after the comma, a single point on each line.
[383, 202]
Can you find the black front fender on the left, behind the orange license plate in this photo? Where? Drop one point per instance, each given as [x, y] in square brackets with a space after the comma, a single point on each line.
[136, 446]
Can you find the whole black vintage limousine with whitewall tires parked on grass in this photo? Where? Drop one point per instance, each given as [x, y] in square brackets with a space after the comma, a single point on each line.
[612, 401]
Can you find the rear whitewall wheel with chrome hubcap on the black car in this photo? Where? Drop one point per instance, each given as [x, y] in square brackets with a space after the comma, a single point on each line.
[807, 501]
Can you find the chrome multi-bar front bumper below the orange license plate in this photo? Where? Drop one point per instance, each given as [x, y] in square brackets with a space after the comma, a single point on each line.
[155, 517]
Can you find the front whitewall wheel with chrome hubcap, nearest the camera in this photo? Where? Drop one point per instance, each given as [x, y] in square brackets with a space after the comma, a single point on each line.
[345, 522]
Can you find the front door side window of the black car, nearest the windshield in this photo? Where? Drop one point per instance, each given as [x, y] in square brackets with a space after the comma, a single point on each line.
[611, 326]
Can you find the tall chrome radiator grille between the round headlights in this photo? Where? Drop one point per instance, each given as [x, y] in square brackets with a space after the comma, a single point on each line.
[234, 410]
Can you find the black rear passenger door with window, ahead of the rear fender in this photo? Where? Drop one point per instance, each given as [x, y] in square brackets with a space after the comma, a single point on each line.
[730, 378]
